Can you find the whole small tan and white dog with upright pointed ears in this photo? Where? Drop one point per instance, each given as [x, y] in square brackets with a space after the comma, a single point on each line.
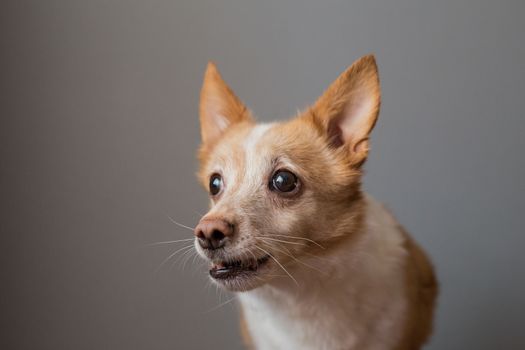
[318, 263]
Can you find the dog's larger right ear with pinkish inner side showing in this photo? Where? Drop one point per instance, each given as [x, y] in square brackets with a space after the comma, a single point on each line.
[348, 109]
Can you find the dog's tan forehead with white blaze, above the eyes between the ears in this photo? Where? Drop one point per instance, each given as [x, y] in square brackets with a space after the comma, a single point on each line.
[254, 149]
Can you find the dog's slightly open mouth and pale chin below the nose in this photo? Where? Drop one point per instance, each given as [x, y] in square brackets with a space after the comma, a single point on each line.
[240, 274]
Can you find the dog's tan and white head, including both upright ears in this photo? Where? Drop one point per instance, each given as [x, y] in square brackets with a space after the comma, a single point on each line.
[281, 192]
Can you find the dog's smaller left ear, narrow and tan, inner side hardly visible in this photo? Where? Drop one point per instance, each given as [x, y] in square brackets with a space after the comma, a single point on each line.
[219, 107]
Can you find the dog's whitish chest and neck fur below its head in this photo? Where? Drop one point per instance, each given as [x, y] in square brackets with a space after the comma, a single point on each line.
[359, 304]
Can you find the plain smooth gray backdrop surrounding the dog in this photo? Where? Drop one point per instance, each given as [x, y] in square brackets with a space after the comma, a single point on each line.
[99, 132]
